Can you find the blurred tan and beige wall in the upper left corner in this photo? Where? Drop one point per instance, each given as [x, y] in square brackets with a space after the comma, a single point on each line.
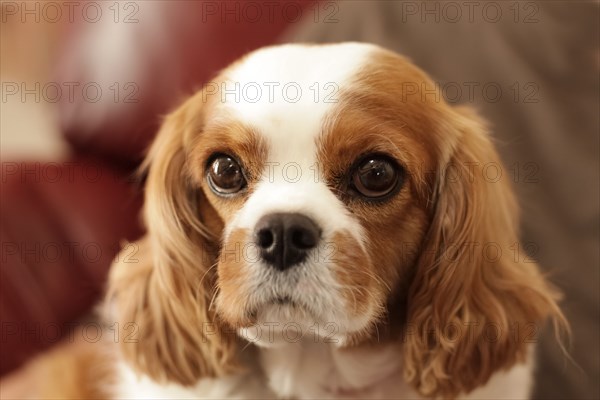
[28, 129]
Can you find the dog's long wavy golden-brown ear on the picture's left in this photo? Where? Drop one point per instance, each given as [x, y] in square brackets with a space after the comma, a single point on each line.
[163, 292]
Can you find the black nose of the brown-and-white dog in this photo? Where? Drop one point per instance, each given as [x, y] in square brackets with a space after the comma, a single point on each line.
[284, 239]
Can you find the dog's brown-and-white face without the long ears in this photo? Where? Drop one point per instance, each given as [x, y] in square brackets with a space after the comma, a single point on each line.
[315, 196]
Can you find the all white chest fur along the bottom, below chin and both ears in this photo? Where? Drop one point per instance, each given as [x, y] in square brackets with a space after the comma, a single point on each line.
[309, 370]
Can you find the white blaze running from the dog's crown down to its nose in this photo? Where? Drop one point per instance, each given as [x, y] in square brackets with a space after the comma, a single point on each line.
[285, 93]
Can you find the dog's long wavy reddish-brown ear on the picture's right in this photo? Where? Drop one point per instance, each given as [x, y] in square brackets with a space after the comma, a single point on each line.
[475, 298]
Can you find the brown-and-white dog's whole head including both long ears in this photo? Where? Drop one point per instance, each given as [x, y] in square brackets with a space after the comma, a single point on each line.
[331, 186]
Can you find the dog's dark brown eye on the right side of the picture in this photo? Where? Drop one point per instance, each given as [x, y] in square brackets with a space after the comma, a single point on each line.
[376, 176]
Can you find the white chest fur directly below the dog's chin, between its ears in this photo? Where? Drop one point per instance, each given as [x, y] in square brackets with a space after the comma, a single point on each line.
[310, 369]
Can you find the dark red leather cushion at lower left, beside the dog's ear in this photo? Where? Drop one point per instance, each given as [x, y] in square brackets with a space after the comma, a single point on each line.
[61, 226]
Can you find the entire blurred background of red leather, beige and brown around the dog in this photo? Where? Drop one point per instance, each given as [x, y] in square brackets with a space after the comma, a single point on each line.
[68, 200]
